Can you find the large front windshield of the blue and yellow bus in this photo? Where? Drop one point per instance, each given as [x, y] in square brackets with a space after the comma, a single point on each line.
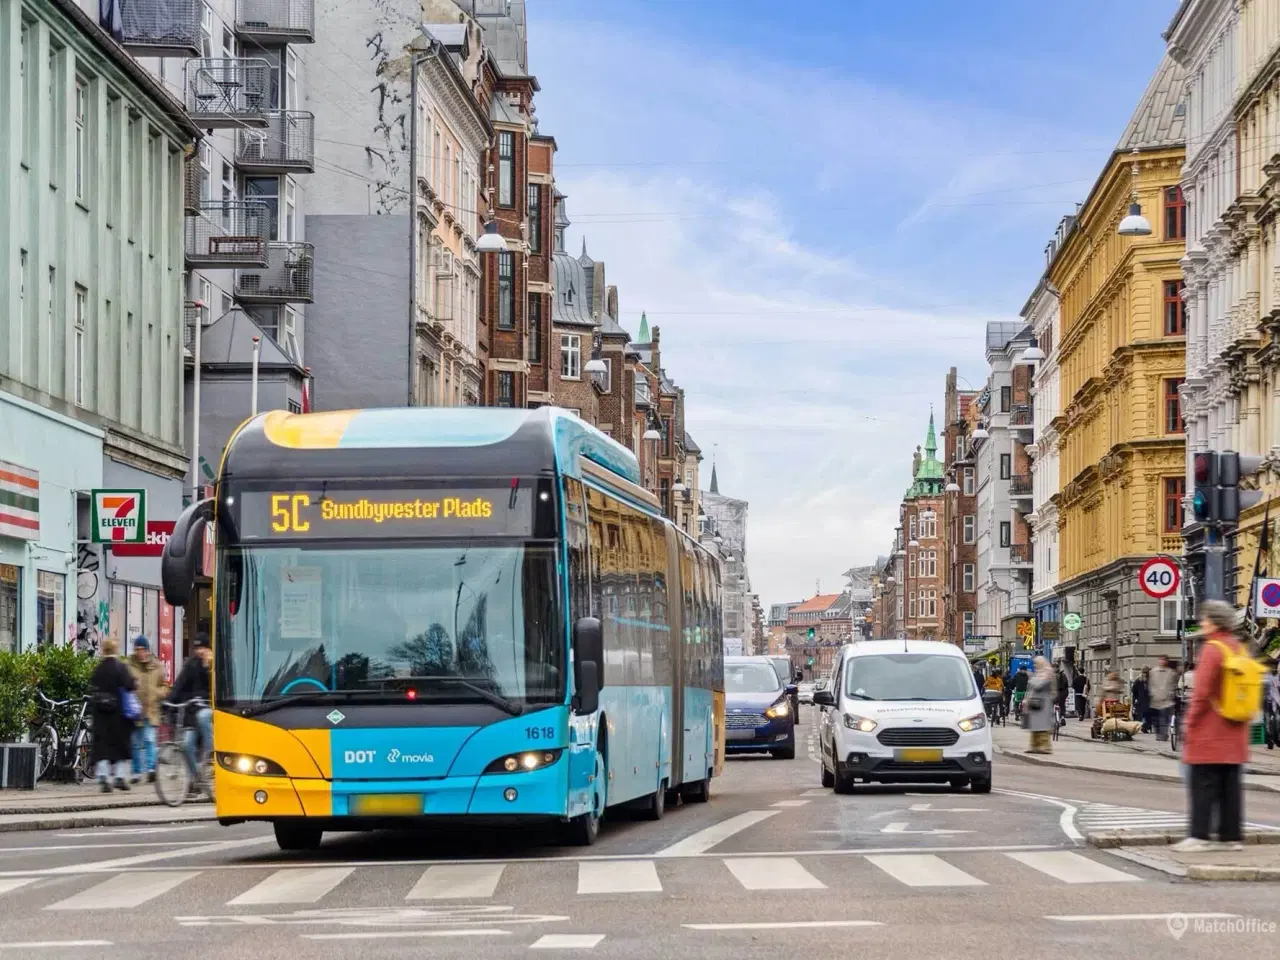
[451, 623]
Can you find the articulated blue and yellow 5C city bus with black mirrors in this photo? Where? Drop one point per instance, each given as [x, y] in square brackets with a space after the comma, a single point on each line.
[450, 612]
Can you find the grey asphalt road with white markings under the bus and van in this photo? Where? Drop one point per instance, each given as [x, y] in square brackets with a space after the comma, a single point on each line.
[772, 867]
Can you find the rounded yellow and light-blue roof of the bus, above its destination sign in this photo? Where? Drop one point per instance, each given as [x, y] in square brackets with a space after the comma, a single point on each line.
[415, 441]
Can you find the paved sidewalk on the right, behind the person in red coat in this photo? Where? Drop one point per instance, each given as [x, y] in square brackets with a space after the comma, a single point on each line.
[1118, 760]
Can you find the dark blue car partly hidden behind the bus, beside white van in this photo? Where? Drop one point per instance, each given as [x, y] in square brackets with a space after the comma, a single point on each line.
[760, 716]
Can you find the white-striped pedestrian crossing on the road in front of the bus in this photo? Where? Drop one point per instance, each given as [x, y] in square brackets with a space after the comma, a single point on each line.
[294, 888]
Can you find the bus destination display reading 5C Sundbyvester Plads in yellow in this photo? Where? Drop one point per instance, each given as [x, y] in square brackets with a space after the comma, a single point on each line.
[341, 515]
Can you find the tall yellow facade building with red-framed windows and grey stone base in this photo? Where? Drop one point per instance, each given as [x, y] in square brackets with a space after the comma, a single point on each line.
[1123, 360]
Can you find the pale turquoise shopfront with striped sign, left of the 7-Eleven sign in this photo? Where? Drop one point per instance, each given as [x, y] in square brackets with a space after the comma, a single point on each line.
[48, 467]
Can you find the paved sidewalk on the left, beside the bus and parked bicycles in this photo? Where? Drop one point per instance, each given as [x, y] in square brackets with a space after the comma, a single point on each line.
[66, 806]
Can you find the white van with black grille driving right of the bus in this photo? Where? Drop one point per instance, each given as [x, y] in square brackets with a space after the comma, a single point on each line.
[903, 712]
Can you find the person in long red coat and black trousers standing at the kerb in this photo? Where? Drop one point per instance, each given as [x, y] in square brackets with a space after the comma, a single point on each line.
[1214, 748]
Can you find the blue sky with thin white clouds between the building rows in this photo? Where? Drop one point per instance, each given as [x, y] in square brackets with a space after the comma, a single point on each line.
[821, 204]
